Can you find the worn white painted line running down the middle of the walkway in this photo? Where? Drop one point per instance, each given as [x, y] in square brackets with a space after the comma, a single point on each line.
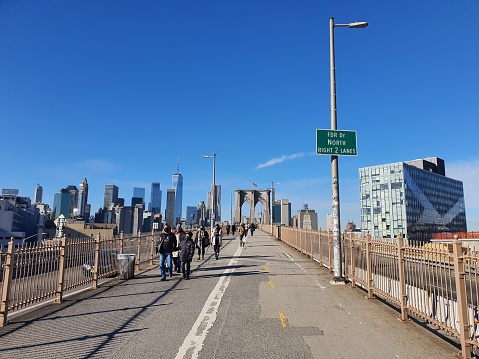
[193, 342]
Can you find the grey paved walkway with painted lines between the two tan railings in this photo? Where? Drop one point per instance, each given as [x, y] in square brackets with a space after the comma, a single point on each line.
[263, 300]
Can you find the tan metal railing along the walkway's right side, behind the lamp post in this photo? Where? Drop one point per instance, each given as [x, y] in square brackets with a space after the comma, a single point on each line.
[436, 283]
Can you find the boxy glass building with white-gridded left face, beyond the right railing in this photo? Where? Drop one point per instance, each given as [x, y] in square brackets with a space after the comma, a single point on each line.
[414, 198]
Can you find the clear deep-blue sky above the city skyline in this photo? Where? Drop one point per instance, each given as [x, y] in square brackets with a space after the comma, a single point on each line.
[116, 91]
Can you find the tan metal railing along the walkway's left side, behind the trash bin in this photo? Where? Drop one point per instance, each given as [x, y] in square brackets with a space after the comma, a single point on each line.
[36, 274]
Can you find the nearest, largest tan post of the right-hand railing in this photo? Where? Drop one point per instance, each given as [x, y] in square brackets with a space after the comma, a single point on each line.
[460, 276]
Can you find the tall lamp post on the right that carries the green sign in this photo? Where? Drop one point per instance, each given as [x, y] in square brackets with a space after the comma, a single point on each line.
[334, 159]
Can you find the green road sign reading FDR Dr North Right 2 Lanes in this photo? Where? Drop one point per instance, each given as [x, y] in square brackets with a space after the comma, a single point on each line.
[336, 143]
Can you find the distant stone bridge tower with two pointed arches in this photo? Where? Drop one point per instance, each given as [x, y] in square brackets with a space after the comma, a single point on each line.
[252, 197]
